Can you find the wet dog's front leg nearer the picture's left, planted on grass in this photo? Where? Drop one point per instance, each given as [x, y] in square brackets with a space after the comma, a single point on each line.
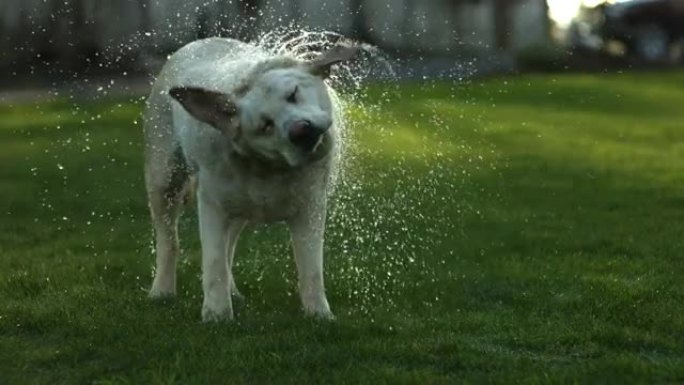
[216, 278]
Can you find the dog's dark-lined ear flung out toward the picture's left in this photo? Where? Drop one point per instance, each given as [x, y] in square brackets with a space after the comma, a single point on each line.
[214, 108]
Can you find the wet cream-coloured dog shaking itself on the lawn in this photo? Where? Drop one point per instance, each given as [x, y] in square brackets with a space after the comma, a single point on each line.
[258, 134]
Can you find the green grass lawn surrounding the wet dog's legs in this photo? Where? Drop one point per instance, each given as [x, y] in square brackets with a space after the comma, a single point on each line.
[526, 229]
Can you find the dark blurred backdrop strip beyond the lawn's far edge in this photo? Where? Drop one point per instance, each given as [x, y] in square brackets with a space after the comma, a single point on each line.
[57, 41]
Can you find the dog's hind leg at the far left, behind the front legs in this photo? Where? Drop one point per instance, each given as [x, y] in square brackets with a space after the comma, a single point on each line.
[168, 182]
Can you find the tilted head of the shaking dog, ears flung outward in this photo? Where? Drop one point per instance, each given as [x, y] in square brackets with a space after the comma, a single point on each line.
[281, 115]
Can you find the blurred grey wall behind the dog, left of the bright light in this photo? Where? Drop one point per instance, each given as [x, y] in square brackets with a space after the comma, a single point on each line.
[123, 33]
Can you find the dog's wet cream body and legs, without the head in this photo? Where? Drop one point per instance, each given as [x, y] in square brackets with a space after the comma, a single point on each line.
[235, 186]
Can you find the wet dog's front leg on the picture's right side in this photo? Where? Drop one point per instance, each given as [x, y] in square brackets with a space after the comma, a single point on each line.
[307, 231]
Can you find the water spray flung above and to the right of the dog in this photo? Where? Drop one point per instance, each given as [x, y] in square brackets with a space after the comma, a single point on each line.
[376, 242]
